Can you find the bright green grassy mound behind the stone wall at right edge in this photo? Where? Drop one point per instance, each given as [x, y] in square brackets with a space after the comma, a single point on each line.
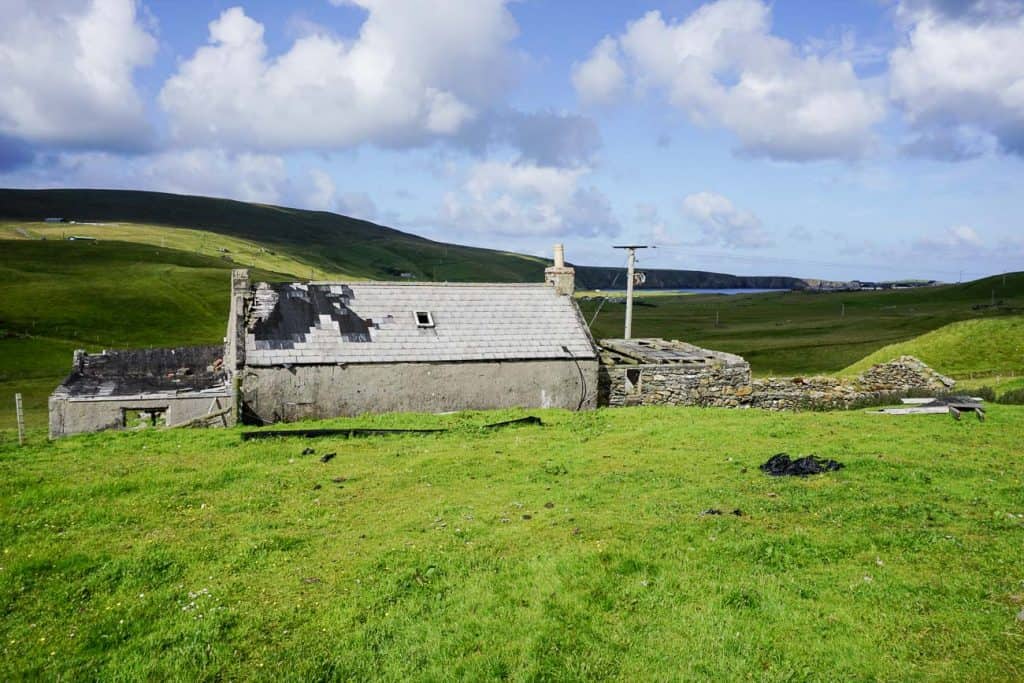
[978, 348]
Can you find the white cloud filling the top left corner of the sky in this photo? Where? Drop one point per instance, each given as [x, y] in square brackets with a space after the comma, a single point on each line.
[66, 73]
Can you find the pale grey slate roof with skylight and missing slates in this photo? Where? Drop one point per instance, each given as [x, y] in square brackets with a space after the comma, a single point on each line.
[300, 324]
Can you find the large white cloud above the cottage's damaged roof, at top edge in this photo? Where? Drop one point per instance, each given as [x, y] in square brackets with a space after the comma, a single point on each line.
[416, 72]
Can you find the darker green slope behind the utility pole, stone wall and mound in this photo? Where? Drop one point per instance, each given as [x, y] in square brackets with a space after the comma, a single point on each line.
[788, 333]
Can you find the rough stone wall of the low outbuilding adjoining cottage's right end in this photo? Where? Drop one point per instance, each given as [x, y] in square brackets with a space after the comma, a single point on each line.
[724, 382]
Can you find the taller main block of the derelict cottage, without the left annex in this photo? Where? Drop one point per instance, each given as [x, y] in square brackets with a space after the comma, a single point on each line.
[324, 350]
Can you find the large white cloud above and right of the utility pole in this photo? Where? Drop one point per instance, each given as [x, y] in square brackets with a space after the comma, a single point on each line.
[723, 67]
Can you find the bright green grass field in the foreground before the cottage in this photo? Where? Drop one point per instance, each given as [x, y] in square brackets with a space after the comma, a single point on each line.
[572, 551]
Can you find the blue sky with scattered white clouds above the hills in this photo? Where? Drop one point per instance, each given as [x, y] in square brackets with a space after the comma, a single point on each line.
[866, 139]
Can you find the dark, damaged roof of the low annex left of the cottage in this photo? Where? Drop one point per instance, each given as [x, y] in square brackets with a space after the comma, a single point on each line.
[146, 372]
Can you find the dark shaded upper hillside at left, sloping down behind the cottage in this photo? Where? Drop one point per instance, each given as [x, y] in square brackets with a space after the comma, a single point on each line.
[327, 242]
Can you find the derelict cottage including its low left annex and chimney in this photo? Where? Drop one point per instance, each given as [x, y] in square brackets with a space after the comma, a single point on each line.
[297, 351]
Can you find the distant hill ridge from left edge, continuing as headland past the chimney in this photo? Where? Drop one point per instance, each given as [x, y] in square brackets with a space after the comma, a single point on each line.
[319, 242]
